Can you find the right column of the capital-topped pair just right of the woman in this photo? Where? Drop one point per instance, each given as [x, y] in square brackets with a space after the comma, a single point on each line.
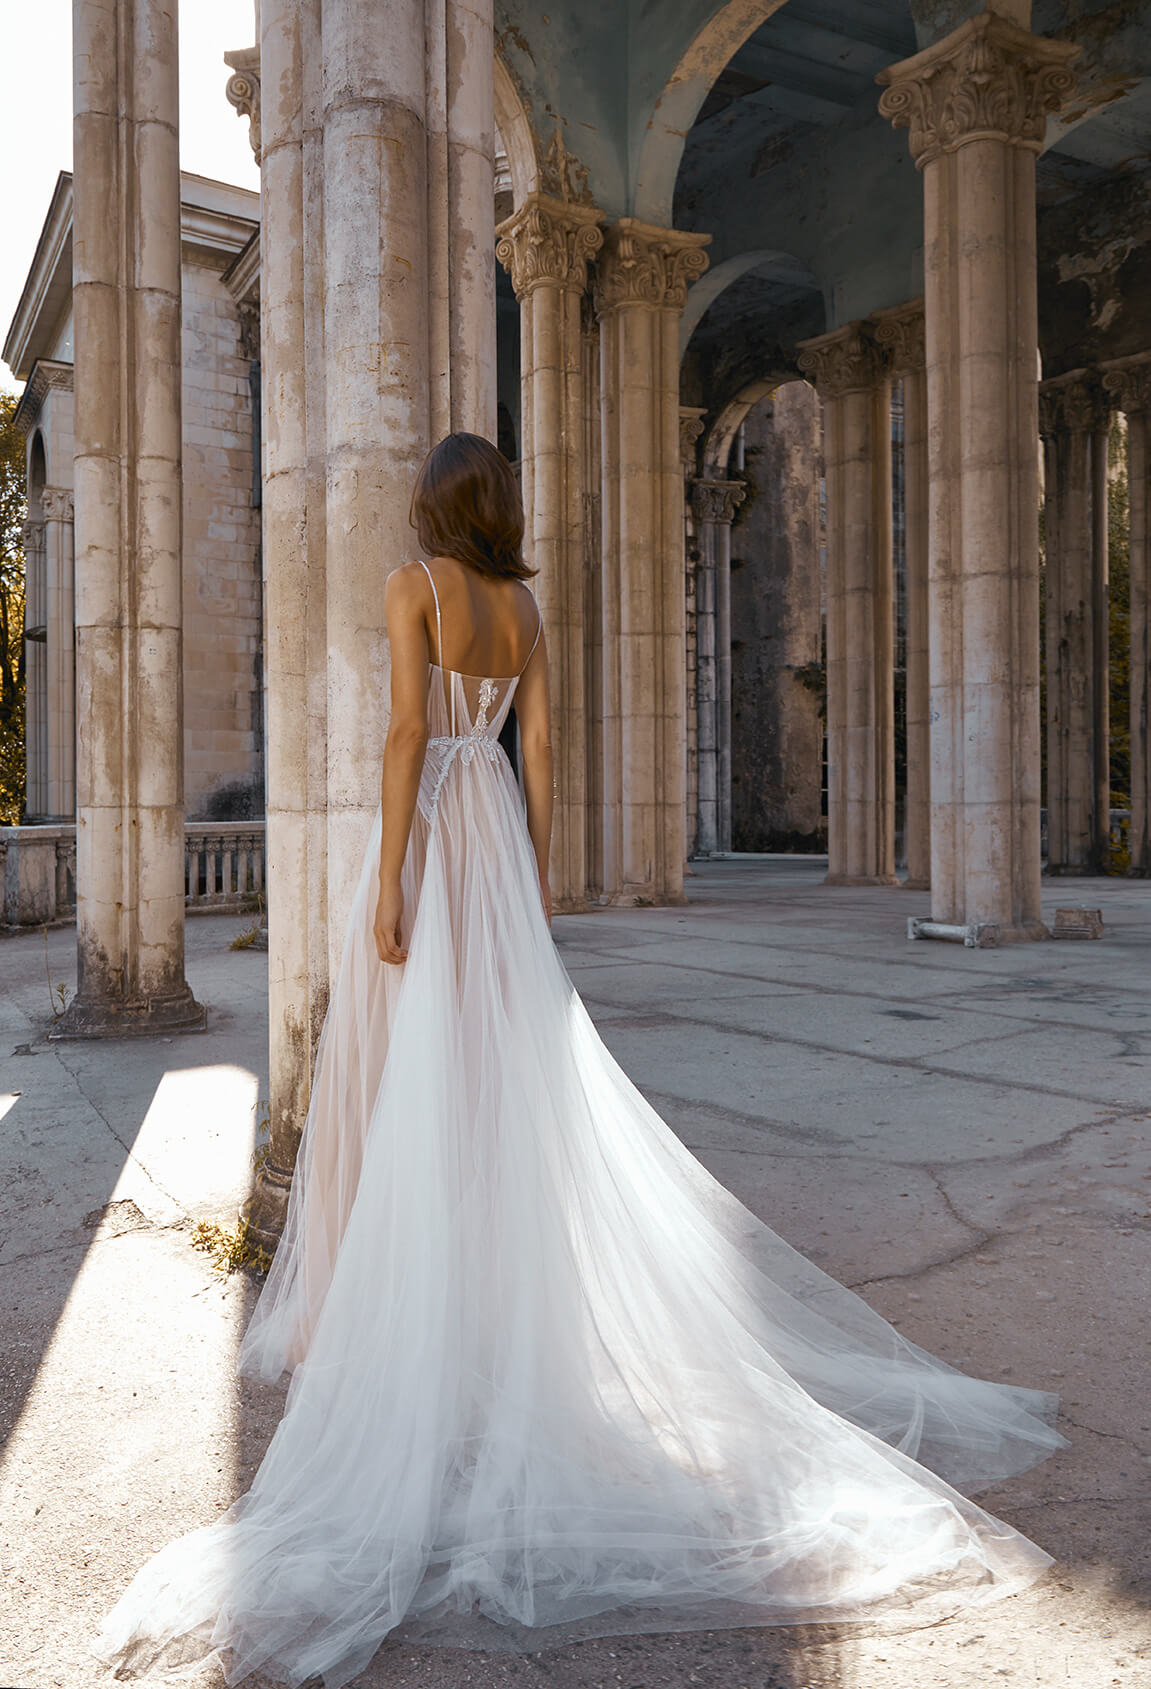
[641, 288]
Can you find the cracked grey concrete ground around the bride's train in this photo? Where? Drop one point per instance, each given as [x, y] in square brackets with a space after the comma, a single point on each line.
[961, 1136]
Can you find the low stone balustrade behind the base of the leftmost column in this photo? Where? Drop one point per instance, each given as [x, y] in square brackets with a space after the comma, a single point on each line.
[224, 871]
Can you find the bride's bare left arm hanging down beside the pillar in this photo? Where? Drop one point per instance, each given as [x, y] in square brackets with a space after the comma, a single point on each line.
[403, 751]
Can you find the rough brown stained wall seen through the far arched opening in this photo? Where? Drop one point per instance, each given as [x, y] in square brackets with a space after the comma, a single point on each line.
[777, 730]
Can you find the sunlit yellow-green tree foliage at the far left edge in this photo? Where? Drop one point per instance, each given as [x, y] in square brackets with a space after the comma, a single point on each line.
[13, 514]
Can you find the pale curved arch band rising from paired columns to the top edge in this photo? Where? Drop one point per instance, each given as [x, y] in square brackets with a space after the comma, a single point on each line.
[687, 89]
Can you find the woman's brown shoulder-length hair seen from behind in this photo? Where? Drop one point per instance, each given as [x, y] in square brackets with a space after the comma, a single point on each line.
[467, 506]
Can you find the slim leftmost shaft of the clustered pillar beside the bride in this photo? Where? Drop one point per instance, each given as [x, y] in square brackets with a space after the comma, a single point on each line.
[281, 85]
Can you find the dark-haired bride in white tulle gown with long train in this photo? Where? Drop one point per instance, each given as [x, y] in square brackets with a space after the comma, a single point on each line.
[550, 1381]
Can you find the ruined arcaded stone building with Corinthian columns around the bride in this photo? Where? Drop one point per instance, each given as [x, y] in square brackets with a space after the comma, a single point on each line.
[777, 307]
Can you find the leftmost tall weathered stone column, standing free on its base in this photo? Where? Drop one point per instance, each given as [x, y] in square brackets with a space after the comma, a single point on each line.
[128, 491]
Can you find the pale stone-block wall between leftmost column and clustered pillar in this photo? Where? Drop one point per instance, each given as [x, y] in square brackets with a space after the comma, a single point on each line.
[224, 773]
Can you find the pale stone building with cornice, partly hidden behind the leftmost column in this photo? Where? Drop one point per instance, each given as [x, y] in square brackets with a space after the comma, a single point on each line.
[222, 611]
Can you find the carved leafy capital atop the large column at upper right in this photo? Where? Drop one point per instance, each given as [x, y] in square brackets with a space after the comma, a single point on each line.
[988, 80]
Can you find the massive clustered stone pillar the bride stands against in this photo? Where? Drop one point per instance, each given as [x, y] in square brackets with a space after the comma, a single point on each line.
[379, 337]
